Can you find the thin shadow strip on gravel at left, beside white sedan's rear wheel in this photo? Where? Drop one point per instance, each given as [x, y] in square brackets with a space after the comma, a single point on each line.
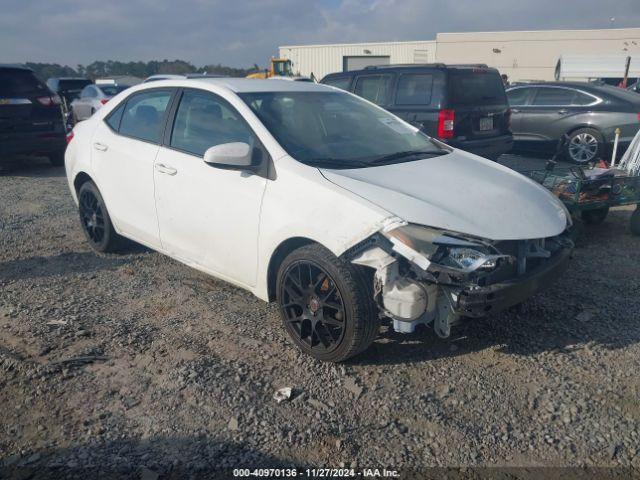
[62, 265]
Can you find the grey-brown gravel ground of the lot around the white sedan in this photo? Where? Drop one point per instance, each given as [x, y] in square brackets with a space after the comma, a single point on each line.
[134, 365]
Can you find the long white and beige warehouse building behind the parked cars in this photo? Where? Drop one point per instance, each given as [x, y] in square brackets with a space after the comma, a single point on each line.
[522, 55]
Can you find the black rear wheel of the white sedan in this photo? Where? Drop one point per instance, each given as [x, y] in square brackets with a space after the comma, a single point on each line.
[95, 220]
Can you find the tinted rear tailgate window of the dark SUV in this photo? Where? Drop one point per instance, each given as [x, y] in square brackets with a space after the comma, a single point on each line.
[476, 87]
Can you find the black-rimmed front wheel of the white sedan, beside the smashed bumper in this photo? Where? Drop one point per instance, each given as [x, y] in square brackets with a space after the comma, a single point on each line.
[326, 304]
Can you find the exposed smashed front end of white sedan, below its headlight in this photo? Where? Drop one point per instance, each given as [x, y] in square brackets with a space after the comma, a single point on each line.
[411, 291]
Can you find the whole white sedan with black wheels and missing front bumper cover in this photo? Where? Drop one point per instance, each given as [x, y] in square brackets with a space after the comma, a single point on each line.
[313, 197]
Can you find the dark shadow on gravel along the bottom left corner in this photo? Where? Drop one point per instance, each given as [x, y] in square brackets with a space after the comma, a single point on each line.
[161, 458]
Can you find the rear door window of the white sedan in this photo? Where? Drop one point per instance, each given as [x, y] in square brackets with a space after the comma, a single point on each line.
[143, 116]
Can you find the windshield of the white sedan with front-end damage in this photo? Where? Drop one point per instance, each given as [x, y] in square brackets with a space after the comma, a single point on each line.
[338, 130]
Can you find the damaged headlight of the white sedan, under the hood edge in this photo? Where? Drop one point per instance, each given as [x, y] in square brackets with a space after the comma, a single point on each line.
[424, 246]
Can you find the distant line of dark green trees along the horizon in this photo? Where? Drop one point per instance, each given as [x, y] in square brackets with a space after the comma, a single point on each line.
[109, 68]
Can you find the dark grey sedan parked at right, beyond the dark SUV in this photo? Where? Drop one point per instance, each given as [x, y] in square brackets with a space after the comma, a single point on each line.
[542, 112]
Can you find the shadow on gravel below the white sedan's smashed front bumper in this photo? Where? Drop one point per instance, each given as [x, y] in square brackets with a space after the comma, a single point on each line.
[514, 333]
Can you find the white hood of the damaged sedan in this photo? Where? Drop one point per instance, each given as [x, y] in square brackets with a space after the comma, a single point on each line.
[459, 192]
